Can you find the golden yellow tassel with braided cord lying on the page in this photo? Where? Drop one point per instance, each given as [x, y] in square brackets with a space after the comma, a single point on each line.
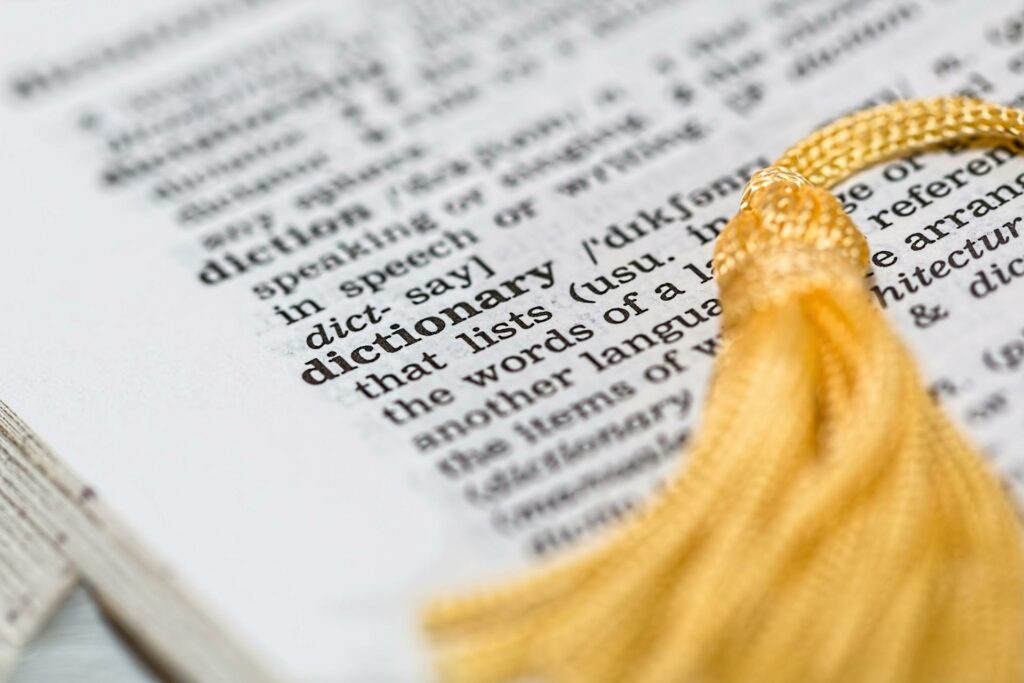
[830, 525]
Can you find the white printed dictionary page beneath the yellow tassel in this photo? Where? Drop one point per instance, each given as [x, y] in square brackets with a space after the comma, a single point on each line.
[340, 307]
